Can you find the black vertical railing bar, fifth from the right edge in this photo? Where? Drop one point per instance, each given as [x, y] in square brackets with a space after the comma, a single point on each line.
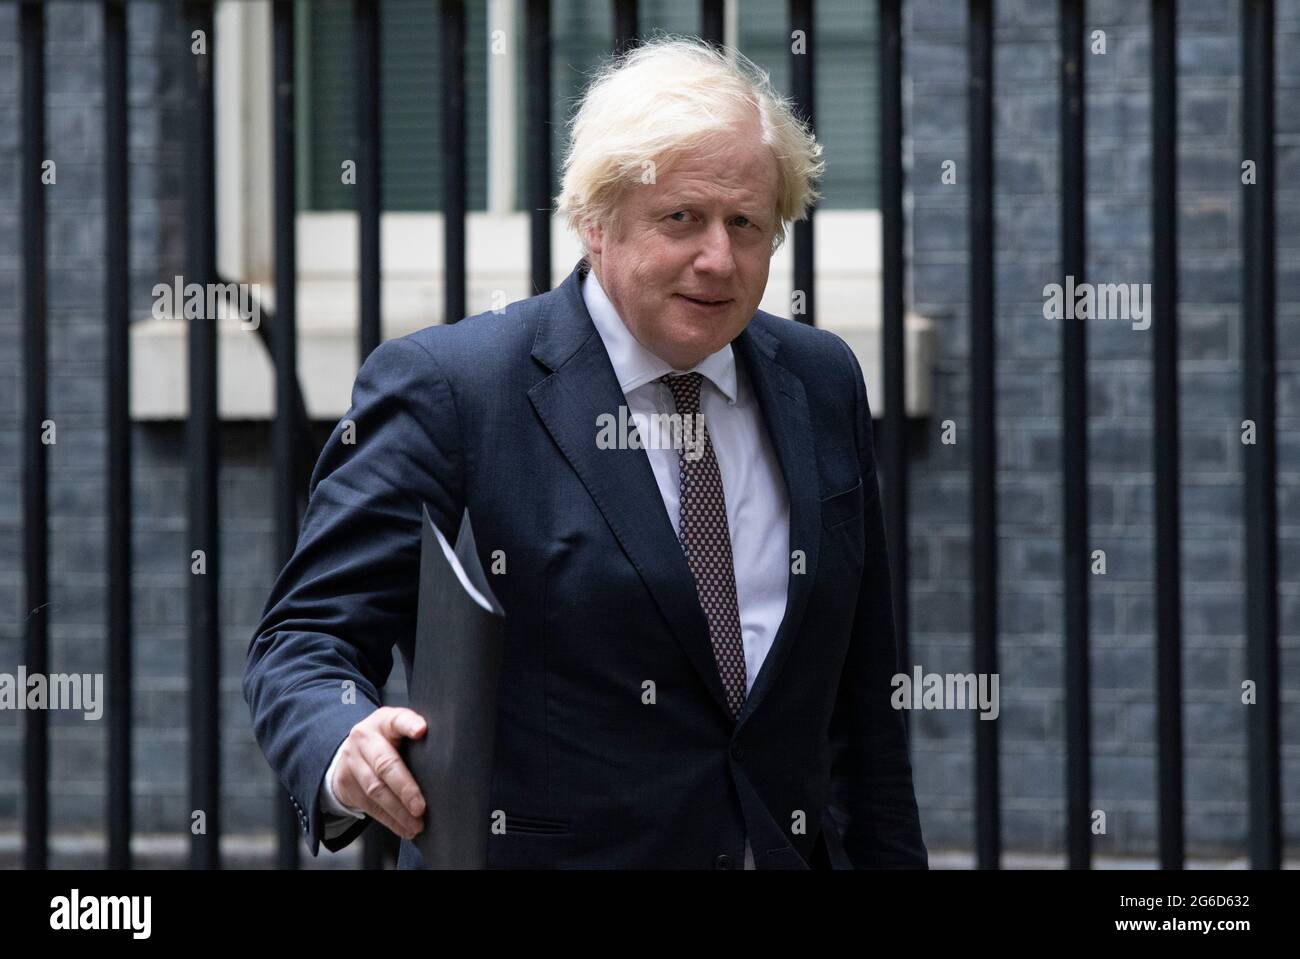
[892, 266]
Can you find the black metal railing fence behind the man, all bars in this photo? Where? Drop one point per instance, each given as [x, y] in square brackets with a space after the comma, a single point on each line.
[293, 449]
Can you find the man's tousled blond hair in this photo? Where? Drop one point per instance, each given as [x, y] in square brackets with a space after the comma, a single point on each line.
[664, 98]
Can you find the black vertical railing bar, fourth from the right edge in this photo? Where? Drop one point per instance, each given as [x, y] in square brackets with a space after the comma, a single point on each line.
[989, 835]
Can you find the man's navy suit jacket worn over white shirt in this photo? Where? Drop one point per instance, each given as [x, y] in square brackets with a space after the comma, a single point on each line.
[499, 415]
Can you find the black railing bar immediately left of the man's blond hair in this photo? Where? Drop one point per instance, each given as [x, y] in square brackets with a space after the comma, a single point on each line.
[538, 28]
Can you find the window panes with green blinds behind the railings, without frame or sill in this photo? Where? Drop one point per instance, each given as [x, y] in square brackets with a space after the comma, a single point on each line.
[582, 29]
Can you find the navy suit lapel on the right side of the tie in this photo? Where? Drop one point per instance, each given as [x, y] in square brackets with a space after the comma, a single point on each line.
[786, 411]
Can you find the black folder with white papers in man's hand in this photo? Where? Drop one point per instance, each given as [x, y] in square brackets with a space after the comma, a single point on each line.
[456, 672]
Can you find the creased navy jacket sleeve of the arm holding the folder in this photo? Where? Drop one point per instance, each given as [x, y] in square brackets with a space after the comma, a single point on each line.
[324, 646]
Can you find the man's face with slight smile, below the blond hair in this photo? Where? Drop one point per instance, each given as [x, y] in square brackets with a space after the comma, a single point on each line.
[687, 263]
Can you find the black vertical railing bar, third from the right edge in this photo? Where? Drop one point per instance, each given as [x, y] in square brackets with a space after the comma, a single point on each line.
[1074, 401]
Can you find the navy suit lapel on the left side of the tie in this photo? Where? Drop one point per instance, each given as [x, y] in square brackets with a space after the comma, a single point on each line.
[582, 388]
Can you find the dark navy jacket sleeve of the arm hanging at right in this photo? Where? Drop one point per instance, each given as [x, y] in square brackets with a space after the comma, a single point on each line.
[873, 799]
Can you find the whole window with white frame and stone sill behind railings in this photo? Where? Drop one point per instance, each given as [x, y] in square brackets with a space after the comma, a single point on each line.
[848, 225]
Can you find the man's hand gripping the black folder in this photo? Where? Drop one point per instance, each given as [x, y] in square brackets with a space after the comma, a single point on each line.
[371, 775]
